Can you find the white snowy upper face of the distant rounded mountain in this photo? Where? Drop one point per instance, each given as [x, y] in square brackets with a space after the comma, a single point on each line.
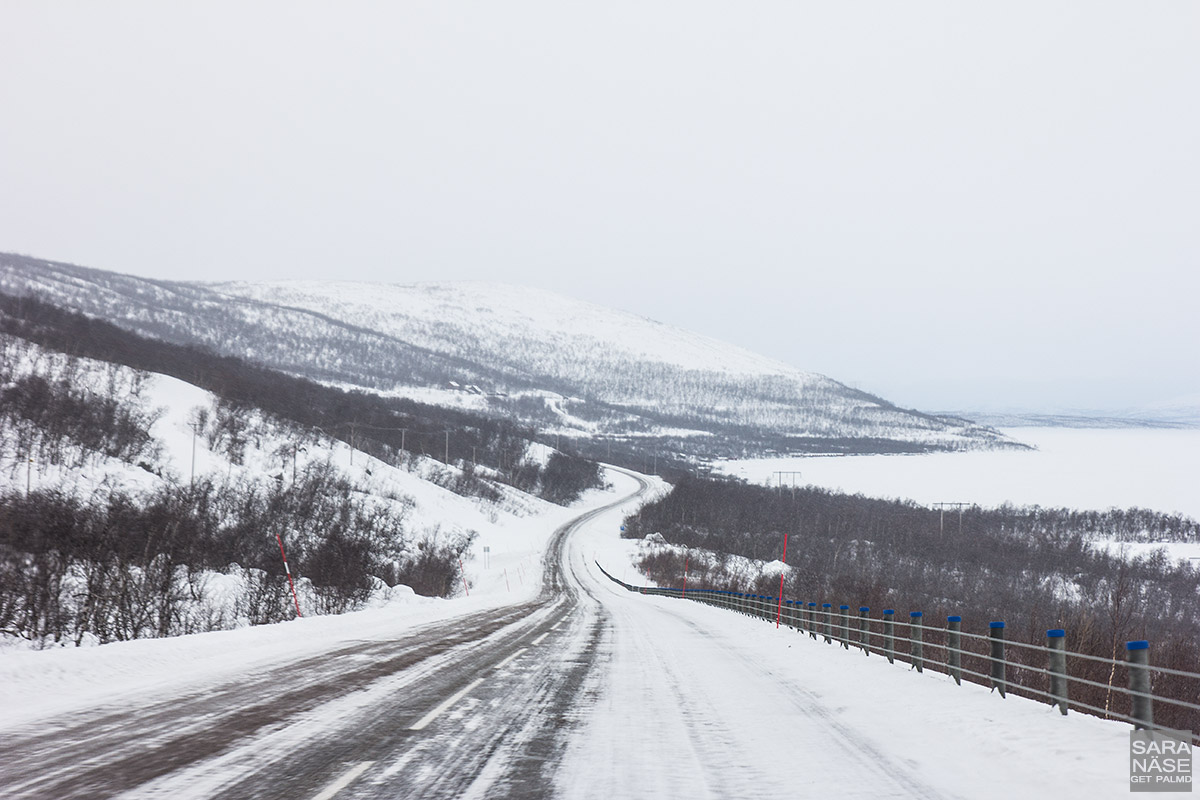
[598, 353]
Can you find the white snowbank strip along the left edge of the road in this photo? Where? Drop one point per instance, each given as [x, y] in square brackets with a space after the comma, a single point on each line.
[41, 684]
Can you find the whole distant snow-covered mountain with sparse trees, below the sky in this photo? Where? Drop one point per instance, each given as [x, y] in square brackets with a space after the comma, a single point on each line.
[560, 365]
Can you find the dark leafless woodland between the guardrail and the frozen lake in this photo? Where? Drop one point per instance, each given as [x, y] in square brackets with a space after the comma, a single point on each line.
[1036, 569]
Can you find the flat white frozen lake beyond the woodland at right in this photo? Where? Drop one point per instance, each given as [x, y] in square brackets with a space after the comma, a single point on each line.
[1071, 467]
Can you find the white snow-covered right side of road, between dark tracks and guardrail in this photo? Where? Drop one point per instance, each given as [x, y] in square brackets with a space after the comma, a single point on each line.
[699, 702]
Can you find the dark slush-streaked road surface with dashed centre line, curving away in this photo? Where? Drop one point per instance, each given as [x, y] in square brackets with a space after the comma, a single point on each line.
[473, 707]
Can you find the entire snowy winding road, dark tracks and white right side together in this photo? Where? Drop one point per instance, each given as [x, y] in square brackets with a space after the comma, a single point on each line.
[587, 691]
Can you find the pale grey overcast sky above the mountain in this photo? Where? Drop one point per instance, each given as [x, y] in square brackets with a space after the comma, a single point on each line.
[955, 204]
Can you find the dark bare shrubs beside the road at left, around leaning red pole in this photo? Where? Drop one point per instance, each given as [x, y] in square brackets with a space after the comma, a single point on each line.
[187, 560]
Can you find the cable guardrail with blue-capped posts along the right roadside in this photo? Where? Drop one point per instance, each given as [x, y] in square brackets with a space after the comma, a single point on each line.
[1042, 672]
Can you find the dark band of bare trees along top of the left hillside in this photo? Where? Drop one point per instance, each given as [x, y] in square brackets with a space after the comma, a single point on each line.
[386, 428]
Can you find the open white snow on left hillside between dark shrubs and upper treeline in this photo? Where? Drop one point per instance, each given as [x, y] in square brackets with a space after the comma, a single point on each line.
[513, 528]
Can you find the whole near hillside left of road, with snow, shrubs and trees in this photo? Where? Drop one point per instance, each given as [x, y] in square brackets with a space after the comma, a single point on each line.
[136, 504]
